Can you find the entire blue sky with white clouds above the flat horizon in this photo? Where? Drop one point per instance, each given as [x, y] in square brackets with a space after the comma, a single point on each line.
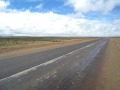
[75, 18]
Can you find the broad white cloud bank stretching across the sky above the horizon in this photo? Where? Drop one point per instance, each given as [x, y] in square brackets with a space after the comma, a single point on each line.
[45, 24]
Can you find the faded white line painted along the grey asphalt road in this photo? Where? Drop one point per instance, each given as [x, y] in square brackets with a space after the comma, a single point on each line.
[43, 64]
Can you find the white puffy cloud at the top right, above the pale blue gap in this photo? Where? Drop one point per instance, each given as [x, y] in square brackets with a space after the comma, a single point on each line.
[85, 6]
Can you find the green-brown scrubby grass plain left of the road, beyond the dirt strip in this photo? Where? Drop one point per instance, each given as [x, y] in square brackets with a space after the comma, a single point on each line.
[9, 43]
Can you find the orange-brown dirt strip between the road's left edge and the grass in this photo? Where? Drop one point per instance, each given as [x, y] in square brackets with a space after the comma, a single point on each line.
[37, 47]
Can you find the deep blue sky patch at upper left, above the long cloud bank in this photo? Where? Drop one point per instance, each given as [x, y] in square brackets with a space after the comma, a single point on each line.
[56, 6]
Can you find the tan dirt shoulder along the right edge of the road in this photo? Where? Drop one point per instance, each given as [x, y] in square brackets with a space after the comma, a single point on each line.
[109, 78]
